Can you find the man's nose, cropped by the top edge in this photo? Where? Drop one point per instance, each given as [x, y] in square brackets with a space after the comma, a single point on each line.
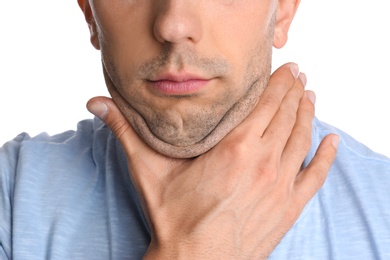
[177, 21]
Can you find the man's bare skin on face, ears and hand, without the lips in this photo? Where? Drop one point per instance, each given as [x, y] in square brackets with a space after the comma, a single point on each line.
[238, 199]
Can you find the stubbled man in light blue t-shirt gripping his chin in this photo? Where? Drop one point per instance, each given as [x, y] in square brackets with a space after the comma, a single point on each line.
[214, 155]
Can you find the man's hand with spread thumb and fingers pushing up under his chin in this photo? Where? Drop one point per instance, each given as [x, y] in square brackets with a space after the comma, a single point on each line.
[239, 199]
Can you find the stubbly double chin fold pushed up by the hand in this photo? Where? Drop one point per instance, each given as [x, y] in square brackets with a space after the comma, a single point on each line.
[193, 142]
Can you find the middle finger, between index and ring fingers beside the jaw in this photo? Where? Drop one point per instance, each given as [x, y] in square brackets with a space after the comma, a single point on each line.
[280, 128]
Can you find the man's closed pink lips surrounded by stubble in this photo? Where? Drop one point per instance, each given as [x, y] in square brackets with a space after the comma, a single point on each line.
[178, 84]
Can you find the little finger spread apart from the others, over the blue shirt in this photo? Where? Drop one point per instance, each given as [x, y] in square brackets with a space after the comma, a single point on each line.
[311, 179]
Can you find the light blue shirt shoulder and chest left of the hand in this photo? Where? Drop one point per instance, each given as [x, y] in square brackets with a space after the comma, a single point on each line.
[68, 190]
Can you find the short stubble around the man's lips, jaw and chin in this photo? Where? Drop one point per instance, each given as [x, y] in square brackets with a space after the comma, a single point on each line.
[203, 128]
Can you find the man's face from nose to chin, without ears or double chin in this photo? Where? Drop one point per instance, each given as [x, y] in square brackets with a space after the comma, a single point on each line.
[183, 65]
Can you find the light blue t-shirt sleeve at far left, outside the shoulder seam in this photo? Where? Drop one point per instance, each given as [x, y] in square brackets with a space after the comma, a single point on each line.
[9, 154]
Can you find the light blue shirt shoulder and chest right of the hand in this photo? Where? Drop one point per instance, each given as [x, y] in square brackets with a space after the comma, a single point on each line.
[349, 215]
